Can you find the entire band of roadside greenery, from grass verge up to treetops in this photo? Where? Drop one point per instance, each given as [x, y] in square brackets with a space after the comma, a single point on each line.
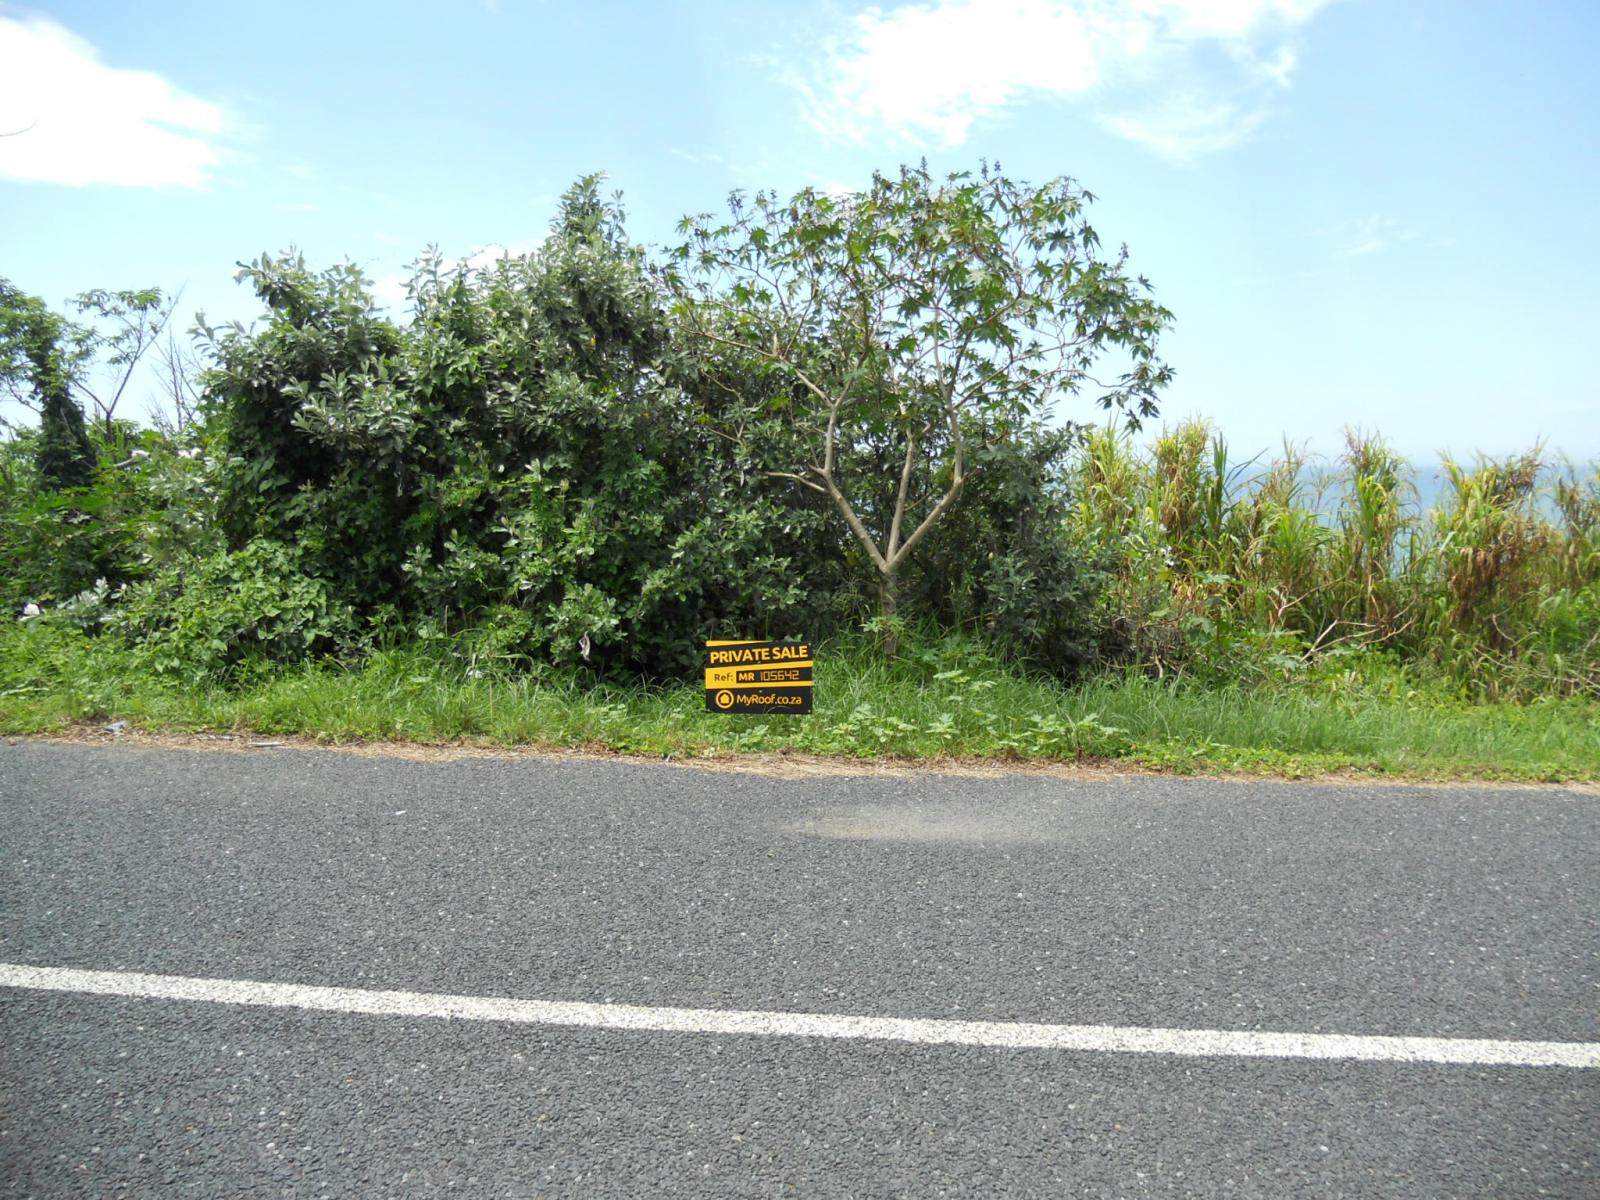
[518, 514]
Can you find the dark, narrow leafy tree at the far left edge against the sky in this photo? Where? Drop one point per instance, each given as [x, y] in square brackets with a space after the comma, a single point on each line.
[36, 369]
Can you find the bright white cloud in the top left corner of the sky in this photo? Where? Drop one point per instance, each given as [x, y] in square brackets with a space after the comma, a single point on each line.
[86, 122]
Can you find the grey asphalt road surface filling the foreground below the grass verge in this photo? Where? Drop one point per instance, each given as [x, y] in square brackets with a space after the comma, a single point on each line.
[1134, 903]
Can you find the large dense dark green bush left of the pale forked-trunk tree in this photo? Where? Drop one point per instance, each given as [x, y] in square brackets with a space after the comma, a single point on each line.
[526, 450]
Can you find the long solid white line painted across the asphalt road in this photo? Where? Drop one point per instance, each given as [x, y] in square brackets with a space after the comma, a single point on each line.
[1015, 1036]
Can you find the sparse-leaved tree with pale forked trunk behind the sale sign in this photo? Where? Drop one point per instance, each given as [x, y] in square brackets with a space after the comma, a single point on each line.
[921, 327]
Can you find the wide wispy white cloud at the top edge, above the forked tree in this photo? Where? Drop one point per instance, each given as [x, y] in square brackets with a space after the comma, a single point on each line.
[929, 73]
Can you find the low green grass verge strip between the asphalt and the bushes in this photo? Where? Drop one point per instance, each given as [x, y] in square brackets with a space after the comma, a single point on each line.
[940, 702]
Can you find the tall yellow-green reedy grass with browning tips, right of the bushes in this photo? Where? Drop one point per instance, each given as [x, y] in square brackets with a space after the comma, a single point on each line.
[1236, 570]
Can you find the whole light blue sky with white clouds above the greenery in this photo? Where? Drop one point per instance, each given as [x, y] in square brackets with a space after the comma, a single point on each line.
[1364, 214]
